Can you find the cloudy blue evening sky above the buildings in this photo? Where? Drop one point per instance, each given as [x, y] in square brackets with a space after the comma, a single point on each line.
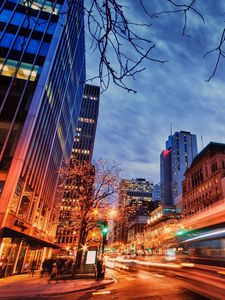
[133, 128]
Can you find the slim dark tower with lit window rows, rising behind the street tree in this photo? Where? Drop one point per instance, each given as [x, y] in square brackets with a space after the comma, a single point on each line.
[82, 151]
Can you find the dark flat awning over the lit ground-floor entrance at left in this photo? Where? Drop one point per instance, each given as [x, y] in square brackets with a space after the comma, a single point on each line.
[8, 232]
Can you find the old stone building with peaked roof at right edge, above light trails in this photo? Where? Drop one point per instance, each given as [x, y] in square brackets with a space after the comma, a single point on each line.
[204, 186]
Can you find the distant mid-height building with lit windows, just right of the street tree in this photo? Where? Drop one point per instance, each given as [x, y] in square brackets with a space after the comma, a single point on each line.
[135, 204]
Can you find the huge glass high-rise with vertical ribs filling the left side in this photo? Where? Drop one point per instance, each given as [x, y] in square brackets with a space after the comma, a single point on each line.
[42, 73]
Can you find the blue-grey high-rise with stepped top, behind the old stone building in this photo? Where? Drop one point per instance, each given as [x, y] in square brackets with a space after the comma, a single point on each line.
[181, 148]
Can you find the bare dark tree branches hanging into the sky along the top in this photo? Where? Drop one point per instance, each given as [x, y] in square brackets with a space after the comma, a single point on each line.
[120, 44]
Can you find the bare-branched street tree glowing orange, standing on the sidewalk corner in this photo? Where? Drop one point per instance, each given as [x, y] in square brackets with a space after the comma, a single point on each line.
[89, 188]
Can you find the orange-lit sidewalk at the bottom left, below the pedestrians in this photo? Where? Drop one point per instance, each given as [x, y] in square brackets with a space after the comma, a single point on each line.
[25, 286]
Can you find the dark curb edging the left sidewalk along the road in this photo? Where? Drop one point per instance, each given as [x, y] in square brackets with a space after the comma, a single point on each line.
[100, 286]
